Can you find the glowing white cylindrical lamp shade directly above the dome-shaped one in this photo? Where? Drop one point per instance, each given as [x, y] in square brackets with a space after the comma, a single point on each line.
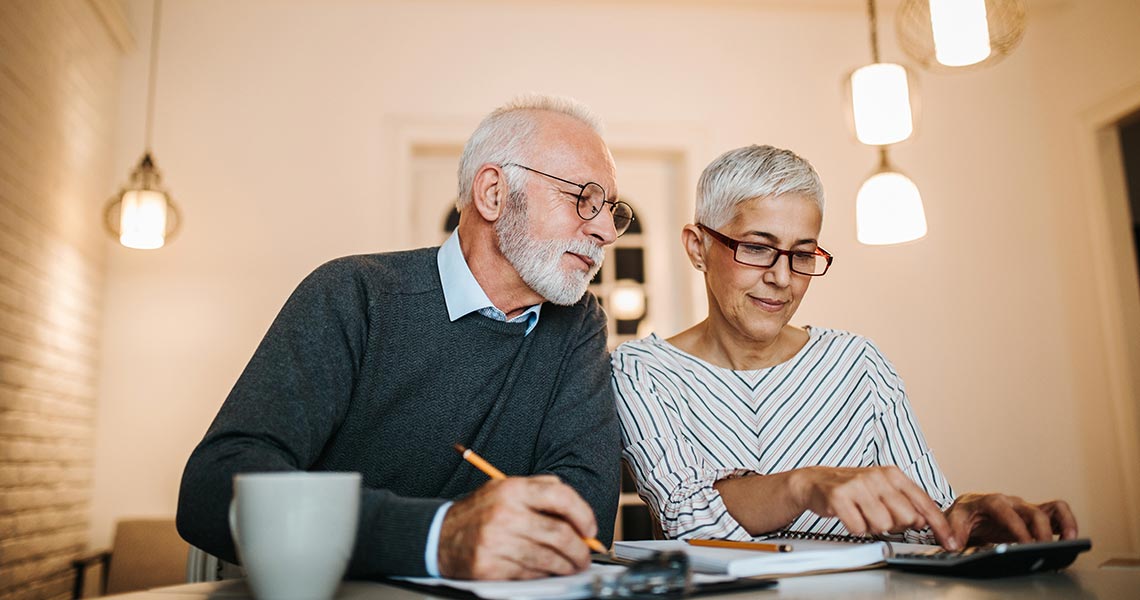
[882, 104]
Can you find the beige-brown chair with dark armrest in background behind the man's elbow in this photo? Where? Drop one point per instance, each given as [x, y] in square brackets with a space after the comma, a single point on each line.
[145, 554]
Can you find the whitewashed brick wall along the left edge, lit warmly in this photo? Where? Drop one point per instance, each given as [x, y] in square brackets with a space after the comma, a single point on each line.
[59, 84]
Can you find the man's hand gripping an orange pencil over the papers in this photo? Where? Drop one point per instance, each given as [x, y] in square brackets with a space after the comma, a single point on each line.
[517, 529]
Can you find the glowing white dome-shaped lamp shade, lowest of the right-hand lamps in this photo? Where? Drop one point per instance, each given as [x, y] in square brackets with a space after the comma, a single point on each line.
[889, 210]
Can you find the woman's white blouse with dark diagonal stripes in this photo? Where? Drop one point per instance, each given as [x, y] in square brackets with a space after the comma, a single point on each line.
[687, 424]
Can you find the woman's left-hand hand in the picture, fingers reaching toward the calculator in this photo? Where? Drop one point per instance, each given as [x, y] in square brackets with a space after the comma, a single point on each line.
[872, 500]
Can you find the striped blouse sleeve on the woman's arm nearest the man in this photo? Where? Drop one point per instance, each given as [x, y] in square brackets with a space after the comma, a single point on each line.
[673, 477]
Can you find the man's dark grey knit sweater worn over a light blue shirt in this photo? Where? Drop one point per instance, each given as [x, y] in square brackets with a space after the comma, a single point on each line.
[363, 371]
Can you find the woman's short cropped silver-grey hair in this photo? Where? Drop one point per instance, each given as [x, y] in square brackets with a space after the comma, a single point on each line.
[753, 173]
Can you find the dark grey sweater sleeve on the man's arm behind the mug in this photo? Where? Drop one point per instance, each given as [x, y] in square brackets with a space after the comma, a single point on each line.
[282, 412]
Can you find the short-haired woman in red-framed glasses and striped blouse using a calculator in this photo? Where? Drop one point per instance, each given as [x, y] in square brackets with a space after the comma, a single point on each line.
[745, 425]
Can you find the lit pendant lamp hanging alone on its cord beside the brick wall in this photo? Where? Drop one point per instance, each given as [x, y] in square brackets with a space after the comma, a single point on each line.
[142, 215]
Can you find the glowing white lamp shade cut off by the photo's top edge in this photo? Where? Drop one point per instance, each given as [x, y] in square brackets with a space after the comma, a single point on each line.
[962, 35]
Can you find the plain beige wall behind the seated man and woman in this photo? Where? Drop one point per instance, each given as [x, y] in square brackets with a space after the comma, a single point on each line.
[284, 131]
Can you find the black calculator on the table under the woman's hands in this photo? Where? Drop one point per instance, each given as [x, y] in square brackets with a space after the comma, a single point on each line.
[990, 561]
